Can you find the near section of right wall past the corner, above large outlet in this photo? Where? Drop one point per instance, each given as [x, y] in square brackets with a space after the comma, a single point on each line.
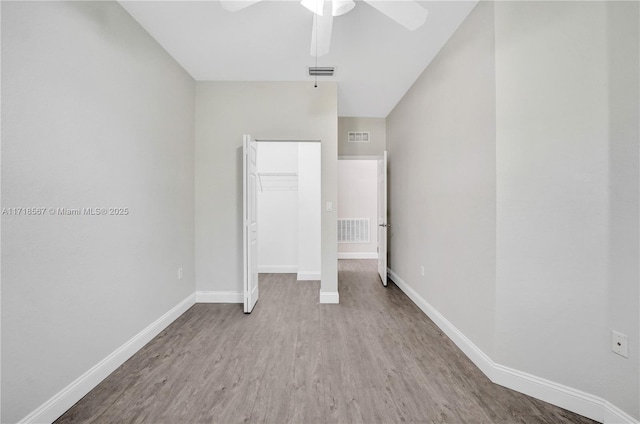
[567, 205]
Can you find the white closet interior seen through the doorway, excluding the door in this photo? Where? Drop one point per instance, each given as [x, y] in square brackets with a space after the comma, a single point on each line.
[289, 208]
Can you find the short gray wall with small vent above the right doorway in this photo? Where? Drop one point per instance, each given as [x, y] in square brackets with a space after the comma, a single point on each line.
[378, 132]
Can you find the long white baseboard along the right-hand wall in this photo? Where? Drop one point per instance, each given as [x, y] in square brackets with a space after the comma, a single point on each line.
[574, 400]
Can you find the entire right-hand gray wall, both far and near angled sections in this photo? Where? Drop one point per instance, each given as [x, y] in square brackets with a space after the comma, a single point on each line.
[514, 180]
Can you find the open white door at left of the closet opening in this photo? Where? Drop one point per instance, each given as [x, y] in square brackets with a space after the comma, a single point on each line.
[250, 220]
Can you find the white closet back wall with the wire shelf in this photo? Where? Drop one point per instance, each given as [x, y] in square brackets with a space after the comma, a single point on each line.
[278, 208]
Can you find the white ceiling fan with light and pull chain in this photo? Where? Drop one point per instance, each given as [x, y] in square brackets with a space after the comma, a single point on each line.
[407, 13]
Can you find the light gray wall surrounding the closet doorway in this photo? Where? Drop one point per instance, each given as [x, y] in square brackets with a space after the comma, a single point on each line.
[271, 110]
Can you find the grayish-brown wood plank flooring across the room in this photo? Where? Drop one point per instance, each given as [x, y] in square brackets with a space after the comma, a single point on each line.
[374, 358]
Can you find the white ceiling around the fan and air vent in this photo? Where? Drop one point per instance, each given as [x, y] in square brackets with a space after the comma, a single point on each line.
[376, 59]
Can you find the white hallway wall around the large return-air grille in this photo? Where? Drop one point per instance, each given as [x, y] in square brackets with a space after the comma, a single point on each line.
[358, 198]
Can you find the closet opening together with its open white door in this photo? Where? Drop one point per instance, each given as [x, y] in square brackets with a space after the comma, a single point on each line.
[282, 197]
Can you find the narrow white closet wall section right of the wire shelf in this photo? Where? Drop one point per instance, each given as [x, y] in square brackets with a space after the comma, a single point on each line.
[309, 211]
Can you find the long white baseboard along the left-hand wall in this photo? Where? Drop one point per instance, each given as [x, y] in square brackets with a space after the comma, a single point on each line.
[67, 397]
